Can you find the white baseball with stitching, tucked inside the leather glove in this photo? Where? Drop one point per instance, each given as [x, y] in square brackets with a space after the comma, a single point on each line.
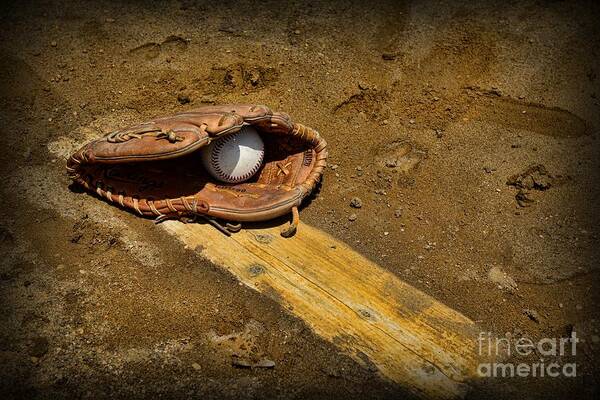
[234, 158]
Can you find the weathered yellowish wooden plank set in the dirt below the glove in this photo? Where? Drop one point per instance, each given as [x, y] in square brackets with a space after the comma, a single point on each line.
[347, 299]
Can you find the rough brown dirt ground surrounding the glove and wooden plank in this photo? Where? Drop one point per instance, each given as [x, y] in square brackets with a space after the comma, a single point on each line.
[468, 130]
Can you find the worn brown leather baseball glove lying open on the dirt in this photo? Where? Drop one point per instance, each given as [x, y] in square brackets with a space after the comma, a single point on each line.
[155, 170]
